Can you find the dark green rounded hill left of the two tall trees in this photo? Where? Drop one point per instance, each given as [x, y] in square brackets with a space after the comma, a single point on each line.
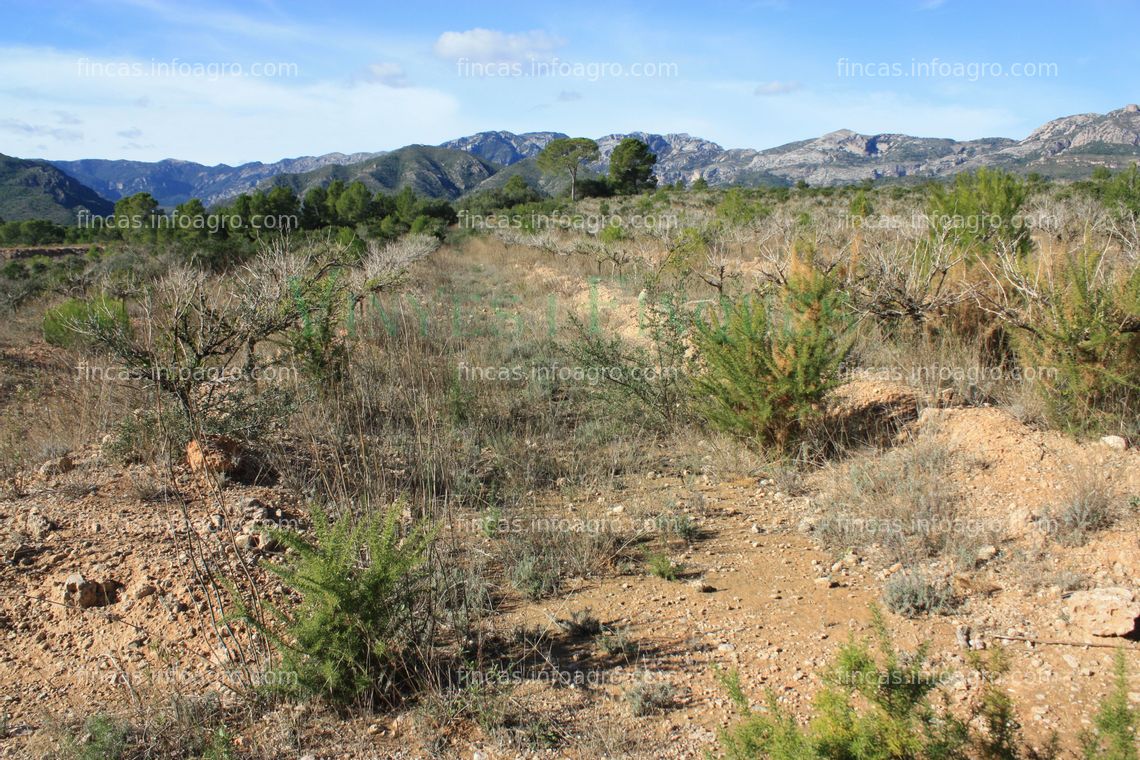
[433, 171]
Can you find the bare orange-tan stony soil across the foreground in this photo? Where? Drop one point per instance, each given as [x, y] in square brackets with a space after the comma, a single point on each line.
[103, 596]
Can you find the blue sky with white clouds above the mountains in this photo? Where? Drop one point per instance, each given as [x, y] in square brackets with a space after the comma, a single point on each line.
[264, 80]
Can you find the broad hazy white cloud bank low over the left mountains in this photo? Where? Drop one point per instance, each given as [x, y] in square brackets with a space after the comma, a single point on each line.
[210, 120]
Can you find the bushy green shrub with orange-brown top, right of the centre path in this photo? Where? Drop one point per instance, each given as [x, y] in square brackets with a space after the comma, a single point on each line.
[769, 363]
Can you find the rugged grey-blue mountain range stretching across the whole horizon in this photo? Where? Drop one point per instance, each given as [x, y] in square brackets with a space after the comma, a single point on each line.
[1064, 149]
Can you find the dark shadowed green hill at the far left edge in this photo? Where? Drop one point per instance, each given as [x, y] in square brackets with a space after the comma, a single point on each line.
[36, 190]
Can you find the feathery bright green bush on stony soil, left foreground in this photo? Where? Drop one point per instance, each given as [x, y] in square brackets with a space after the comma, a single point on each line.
[359, 633]
